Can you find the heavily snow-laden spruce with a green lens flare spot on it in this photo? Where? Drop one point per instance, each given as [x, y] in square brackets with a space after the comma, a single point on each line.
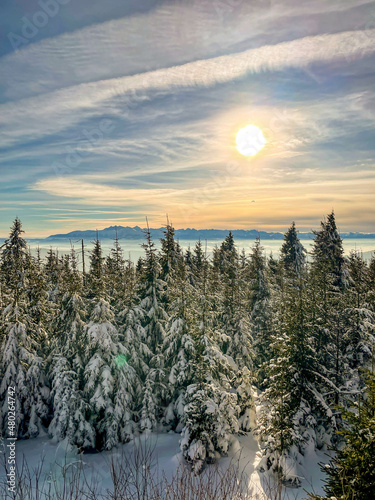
[108, 378]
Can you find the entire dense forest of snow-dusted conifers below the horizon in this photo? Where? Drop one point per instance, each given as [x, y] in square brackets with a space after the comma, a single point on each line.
[209, 347]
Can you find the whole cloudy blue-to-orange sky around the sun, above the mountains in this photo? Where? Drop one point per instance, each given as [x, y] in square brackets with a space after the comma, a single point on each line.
[113, 111]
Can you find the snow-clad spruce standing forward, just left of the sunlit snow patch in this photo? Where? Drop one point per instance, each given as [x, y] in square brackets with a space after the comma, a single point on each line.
[211, 410]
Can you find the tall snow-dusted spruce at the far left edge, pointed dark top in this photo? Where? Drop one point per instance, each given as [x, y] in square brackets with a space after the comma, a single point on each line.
[20, 366]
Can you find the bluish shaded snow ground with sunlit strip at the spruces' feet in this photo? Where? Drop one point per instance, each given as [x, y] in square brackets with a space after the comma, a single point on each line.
[166, 458]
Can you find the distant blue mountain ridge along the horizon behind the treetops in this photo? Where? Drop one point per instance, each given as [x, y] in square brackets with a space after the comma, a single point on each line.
[136, 233]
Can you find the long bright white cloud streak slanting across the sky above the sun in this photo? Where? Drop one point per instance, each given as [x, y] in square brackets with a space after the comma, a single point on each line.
[55, 111]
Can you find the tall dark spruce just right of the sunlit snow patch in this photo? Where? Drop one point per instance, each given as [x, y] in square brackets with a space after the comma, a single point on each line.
[286, 422]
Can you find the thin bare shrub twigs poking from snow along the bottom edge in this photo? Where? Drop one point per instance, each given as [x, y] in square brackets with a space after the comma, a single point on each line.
[136, 476]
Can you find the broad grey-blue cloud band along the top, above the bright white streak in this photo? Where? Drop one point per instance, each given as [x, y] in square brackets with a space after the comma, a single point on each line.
[170, 34]
